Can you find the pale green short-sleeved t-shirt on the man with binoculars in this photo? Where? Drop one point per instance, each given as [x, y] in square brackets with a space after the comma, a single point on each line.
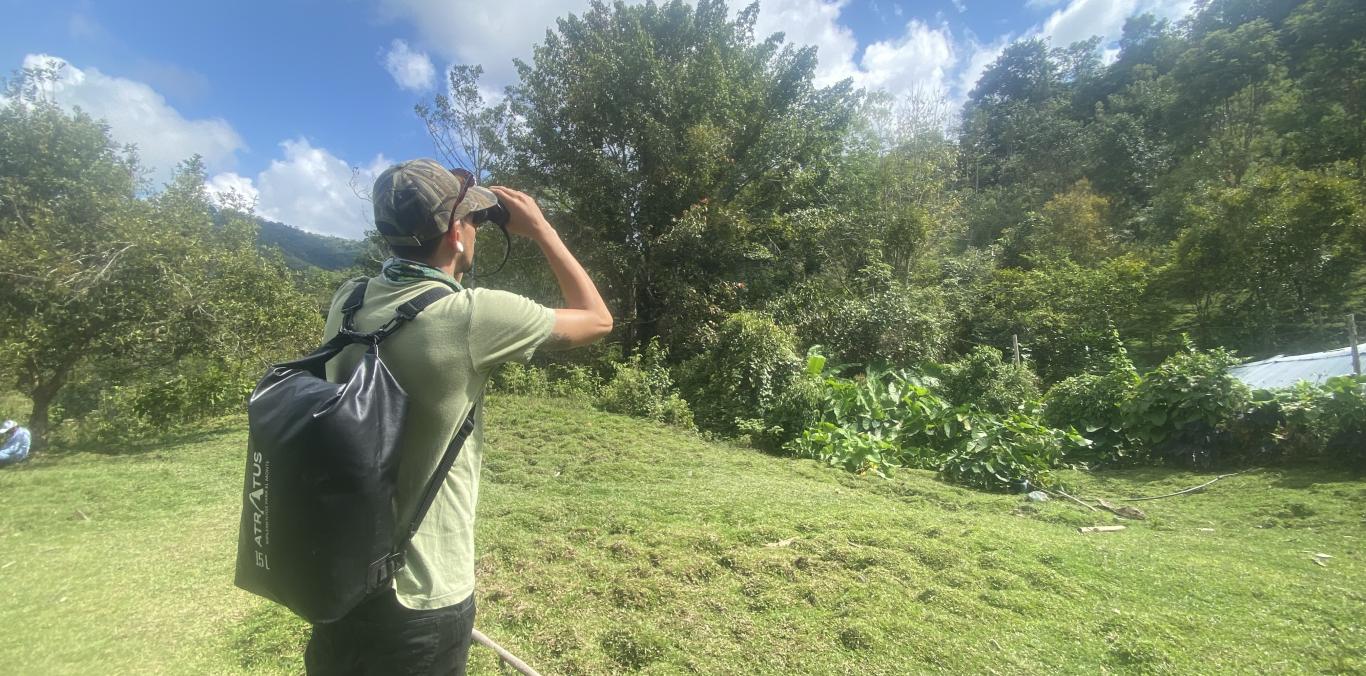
[442, 360]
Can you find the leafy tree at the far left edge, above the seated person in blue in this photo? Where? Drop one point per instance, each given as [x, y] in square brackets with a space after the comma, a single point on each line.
[72, 247]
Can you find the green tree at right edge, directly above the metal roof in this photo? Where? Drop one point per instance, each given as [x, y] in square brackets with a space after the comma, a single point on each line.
[1267, 266]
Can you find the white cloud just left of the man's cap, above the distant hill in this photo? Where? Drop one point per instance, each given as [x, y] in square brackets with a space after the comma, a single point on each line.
[311, 189]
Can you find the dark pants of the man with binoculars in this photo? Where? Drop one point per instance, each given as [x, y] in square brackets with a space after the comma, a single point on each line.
[382, 637]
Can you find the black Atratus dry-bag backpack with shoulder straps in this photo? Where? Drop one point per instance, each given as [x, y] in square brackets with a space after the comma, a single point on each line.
[319, 531]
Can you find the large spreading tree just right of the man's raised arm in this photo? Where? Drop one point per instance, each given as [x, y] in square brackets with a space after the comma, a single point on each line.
[633, 115]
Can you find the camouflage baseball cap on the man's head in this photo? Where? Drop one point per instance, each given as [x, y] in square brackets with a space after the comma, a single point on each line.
[415, 201]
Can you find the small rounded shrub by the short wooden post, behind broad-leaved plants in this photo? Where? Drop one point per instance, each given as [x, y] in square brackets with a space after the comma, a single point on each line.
[986, 380]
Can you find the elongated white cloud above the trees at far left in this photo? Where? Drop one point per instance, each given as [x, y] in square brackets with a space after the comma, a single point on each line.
[140, 115]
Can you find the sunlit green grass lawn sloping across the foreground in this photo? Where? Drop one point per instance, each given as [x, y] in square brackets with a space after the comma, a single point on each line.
[615, 546]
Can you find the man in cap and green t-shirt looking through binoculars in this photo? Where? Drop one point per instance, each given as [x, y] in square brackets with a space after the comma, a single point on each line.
[443, 360]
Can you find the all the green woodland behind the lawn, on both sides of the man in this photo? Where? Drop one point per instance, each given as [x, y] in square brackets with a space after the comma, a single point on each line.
[1200, 188]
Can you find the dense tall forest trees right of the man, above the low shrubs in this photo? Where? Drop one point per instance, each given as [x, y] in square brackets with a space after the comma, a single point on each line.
[1208, 181]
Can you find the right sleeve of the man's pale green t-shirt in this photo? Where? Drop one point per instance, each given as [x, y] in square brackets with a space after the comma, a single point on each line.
[506, 328]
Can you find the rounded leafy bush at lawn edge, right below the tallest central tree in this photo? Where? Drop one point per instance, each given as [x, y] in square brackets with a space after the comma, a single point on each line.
[741, 380]
